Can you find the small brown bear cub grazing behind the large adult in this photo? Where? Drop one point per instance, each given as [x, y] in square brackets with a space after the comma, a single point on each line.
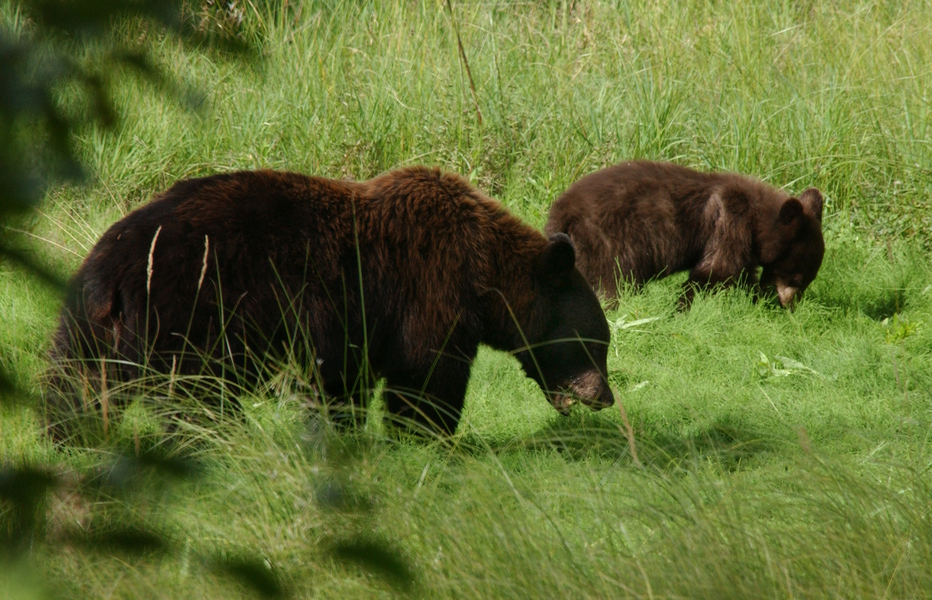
[641, 220]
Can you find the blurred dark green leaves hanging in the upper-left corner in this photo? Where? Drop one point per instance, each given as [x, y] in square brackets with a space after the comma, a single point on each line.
[60, 45]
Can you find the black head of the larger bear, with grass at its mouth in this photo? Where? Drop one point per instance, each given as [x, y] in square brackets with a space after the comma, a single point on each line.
[567, 346]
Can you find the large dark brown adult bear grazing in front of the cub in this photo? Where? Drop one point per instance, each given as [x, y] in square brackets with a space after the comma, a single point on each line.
[400, 277]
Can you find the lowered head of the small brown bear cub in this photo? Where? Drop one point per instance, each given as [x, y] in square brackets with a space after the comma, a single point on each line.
[792, 256]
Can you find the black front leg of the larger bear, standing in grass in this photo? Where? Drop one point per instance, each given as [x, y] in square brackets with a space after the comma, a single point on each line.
[428, 401]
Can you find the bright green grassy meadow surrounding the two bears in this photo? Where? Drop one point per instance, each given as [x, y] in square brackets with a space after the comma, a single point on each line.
[774, 454]
